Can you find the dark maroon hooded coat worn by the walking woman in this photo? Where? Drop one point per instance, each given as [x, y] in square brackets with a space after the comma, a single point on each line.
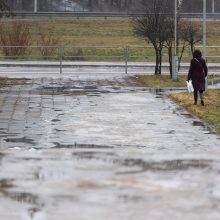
[197, 72]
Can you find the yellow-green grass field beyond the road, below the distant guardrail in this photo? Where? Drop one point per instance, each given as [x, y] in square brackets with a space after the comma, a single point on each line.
[117, 32]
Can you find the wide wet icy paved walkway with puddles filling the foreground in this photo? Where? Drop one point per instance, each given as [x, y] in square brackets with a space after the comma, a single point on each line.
[103, 149]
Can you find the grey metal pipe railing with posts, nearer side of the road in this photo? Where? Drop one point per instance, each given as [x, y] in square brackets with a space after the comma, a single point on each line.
[123, 56]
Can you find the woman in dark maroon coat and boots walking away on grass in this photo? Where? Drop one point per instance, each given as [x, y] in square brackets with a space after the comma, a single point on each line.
[197, 72]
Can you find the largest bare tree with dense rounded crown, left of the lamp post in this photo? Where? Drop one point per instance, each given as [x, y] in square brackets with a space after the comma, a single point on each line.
[155, 27]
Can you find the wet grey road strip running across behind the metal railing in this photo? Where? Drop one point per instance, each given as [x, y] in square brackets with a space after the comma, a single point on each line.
[55, 68]
